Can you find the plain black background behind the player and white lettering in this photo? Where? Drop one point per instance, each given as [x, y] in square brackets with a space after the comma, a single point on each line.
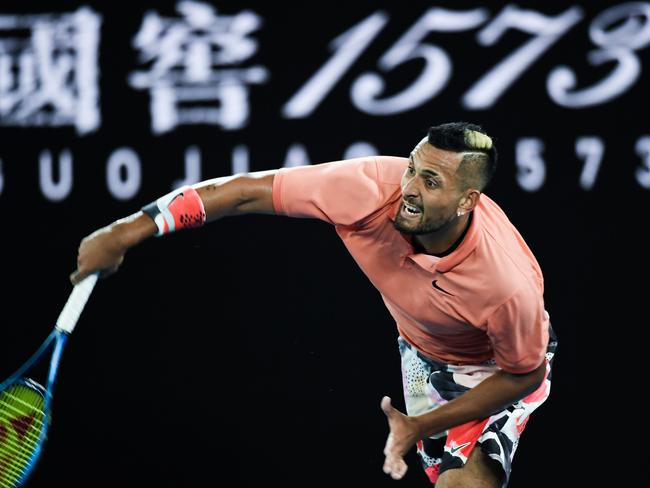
[255, 348]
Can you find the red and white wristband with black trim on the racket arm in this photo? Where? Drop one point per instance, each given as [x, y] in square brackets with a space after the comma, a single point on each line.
[180, 209]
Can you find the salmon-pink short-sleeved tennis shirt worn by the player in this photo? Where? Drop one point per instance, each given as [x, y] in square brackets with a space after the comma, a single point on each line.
[484, 300]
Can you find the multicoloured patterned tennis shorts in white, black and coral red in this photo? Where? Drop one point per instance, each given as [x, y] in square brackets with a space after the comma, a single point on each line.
[429, 384]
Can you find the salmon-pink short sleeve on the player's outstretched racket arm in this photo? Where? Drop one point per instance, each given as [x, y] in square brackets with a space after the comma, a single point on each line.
[339, 192]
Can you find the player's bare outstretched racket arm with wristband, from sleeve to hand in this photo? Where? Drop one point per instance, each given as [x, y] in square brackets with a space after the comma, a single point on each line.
[103, 251]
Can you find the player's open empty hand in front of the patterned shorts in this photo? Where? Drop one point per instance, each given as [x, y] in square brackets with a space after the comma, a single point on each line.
[404, 433]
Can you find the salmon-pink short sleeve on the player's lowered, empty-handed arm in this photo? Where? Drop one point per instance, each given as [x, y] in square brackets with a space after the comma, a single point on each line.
[518, 330]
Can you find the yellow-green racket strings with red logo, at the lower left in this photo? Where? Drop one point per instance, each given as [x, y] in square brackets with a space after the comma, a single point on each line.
[22, 419]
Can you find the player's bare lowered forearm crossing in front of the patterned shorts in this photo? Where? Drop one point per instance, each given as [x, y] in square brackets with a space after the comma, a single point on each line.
[488, 397]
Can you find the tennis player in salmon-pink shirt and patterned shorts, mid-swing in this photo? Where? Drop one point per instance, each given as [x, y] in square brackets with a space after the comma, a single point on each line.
[463, 287]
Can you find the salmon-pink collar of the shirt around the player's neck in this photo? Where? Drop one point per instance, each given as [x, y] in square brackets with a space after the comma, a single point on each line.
[453, 259]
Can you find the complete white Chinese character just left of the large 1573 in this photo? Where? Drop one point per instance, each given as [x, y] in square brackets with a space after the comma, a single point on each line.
[194, 71]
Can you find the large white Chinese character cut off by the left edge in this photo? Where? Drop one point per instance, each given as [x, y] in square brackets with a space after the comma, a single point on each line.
[49, 70]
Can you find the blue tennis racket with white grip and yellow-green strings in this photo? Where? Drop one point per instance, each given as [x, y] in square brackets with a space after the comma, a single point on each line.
[25, 403]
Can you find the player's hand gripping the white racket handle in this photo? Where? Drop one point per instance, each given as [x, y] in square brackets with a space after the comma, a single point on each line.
[102, 251]
